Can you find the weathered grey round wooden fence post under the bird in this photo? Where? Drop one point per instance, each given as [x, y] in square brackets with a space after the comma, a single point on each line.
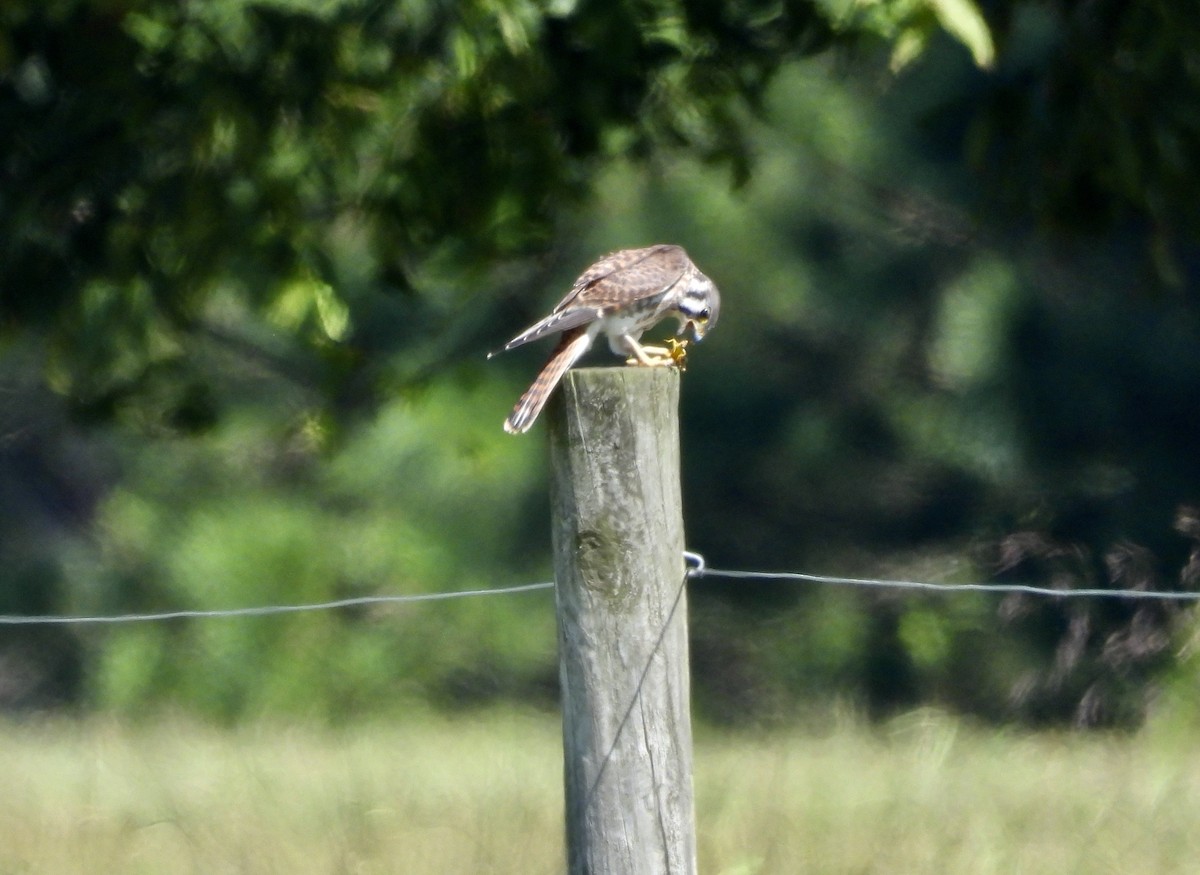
[622, 624]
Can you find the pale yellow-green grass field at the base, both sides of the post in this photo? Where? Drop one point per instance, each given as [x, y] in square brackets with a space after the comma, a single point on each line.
[483, 795]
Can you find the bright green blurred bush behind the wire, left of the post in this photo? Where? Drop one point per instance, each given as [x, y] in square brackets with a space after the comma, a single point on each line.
[403, 508]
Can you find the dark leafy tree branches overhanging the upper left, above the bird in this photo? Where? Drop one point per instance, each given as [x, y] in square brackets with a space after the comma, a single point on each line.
[321, 157]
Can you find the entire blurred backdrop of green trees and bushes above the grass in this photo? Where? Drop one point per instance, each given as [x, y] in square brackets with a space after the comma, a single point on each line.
[253, 255]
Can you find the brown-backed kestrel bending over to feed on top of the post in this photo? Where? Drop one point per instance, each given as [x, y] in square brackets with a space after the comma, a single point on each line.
[621, 296]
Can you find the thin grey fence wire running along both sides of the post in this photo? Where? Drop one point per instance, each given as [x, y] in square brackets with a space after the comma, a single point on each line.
[697, 571]
